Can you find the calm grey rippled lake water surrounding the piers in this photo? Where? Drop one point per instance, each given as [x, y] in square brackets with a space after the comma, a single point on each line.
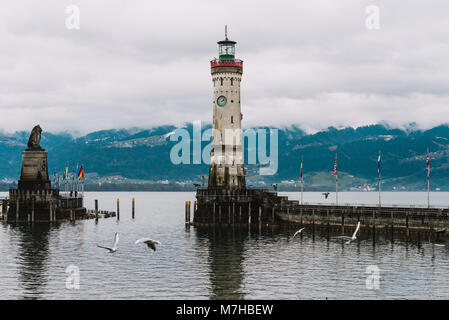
[213, 263]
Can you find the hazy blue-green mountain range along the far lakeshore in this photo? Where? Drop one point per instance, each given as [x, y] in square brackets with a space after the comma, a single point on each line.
[142, 157]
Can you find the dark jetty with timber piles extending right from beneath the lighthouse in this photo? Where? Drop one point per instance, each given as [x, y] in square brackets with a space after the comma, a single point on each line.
[260, 207]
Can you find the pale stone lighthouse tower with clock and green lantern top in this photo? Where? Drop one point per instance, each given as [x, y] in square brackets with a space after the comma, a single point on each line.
[226, 166]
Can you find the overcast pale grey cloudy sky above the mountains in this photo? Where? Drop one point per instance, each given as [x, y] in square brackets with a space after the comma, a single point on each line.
[143, 63]
